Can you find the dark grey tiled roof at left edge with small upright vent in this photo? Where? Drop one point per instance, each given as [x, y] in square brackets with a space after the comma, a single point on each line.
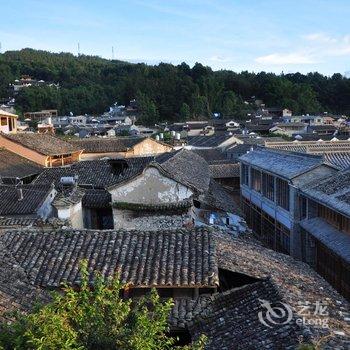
[33, 198]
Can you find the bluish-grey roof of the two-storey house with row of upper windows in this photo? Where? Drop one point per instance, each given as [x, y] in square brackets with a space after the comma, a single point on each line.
[282, 163]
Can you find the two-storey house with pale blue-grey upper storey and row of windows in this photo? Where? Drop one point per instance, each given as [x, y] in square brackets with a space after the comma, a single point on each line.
[270, 181]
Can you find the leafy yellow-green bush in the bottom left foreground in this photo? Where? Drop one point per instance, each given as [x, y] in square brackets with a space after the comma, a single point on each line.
[94, 319]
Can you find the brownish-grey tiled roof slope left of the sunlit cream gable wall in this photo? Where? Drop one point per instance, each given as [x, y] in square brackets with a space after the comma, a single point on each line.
[100, 145]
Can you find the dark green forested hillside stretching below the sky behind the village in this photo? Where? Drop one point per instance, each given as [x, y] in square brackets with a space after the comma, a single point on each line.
[89, 84]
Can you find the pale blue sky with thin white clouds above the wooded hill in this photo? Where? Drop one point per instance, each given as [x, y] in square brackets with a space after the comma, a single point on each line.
[254, 35]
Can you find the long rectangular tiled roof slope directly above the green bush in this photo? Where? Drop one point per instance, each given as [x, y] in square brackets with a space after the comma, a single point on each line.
[179, 257]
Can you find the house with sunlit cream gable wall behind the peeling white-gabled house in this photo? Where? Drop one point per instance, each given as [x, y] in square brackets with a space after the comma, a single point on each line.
[97, 148]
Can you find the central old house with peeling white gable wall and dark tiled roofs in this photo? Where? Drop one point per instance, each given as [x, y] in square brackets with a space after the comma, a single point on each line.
[173, 189]
